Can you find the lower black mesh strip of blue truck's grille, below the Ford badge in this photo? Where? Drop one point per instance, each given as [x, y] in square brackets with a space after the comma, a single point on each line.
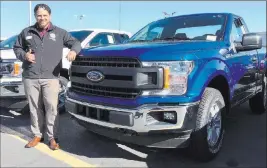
[95, 90]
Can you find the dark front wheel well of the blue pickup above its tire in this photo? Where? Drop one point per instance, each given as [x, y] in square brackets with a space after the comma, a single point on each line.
[221, 84]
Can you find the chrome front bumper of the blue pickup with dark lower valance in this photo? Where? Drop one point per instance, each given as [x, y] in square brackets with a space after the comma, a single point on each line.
[136, 125]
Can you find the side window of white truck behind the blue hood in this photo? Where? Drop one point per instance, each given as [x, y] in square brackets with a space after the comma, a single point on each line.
[102, 39]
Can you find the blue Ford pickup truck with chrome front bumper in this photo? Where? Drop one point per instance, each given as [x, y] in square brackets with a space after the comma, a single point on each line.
[172, 84]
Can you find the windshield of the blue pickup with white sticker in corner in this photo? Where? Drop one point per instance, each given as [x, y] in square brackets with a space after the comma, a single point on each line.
[208, 27]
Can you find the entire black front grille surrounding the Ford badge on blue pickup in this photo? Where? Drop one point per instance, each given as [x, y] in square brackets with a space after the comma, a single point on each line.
[83, 64]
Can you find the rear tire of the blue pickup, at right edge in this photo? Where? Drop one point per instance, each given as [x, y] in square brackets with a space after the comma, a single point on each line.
[258, 103]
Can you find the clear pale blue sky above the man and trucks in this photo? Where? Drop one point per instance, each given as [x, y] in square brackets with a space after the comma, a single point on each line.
[133, 15]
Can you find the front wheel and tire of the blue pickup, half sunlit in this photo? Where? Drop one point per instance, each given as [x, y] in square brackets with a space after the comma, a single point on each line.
[200, 147]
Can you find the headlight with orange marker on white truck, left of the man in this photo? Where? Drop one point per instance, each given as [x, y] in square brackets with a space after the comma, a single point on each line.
[11, 69]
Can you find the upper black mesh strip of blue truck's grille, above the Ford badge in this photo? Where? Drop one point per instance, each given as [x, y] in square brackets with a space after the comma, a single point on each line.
[107, 62]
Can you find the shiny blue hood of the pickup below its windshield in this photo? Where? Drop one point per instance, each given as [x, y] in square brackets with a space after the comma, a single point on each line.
[146, 51]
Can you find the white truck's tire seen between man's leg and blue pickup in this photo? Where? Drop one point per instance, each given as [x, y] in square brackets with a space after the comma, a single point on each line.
[61, 105]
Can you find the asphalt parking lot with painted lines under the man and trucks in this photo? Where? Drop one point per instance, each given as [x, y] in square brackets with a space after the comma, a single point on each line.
[244, 146]
